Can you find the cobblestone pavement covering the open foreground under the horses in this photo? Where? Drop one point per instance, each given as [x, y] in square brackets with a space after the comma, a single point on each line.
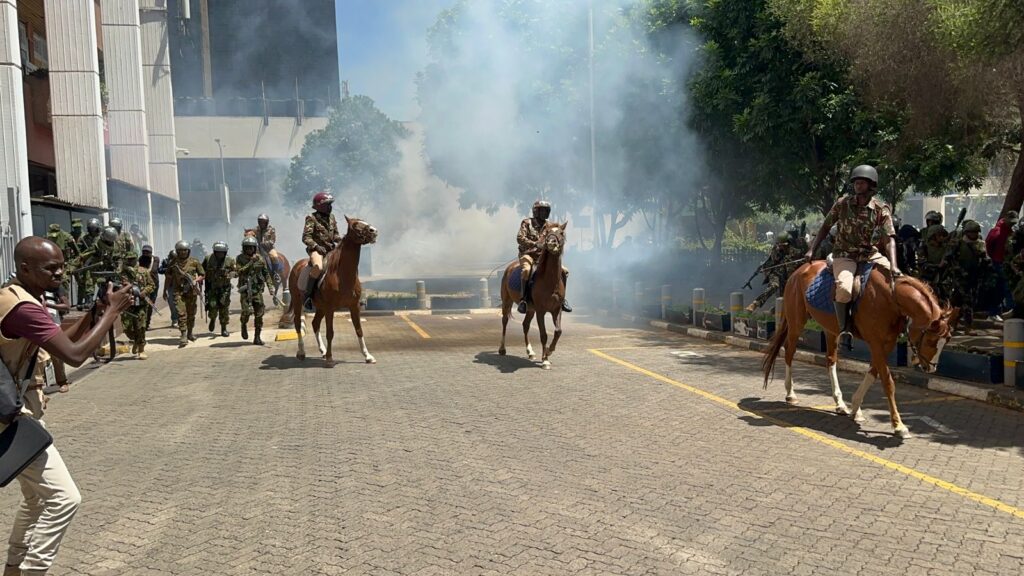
[638, 454]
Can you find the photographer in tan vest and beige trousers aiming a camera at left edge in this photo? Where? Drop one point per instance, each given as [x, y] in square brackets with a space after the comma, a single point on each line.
[51, 496]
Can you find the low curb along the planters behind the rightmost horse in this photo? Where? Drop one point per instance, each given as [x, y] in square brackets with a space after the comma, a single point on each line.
[1005, 397]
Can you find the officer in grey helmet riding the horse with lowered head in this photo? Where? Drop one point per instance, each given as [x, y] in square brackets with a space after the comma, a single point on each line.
[858, 218]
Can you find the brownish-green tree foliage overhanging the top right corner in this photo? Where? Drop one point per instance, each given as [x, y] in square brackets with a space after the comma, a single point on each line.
[962, 93]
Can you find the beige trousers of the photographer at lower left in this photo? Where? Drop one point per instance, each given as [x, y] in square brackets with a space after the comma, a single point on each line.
[51, 501]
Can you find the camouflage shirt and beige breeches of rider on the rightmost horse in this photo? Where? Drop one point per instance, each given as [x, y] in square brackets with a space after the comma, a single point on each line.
[855, 244]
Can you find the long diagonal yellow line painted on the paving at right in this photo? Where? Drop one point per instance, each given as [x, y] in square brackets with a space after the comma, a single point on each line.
[822, 439]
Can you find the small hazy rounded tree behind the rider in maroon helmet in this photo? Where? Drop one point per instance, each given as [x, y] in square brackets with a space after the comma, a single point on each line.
[356, 155]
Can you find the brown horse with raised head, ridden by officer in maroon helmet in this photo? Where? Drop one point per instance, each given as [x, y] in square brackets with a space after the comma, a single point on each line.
[340, 289]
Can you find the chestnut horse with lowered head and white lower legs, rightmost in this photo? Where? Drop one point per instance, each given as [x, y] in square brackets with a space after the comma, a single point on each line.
[881, 317]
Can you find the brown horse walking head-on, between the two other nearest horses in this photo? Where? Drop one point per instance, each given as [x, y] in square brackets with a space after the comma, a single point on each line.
[548, 294]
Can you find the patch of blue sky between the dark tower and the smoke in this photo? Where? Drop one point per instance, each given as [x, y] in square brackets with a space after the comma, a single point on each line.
[382, 46]
